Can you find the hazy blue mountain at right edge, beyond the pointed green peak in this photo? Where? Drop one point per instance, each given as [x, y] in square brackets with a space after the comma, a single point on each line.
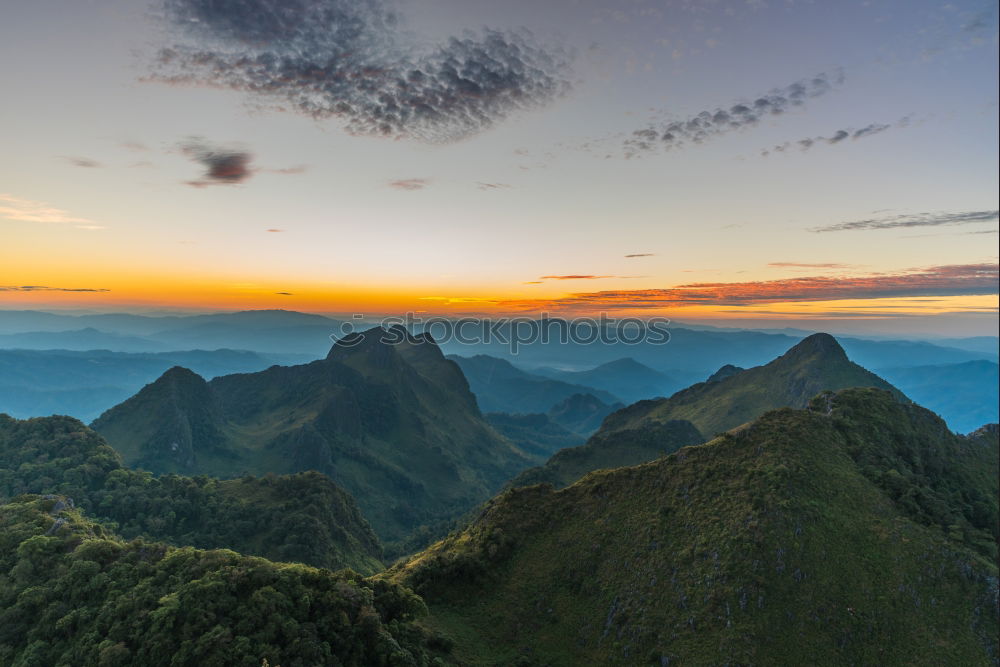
[964, 395]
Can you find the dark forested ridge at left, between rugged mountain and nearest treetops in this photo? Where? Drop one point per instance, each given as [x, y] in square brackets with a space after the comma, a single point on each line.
[303, 517]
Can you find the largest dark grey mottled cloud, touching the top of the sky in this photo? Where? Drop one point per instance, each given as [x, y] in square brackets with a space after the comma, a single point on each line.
[353, 60]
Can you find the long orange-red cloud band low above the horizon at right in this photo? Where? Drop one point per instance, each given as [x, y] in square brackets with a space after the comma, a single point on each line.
[950, 280]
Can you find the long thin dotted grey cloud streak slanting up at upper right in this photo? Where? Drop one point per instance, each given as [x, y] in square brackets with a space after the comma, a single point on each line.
[710, 123]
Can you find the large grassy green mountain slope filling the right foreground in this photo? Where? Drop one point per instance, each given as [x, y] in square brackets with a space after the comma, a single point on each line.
[846, 533]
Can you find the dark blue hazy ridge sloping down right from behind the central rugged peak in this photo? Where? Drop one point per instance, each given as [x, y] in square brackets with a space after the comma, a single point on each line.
[499, 386]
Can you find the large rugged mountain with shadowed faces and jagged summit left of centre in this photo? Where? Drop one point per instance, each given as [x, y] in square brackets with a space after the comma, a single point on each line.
[385, 415]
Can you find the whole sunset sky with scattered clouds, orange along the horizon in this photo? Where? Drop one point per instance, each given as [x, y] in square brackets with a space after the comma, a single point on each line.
[714, 160]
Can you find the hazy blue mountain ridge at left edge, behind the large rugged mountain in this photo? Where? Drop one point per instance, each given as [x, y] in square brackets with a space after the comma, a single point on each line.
[36, 383]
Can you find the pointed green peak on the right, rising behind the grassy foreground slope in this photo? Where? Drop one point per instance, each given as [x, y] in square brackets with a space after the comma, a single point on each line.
[816, 364]
